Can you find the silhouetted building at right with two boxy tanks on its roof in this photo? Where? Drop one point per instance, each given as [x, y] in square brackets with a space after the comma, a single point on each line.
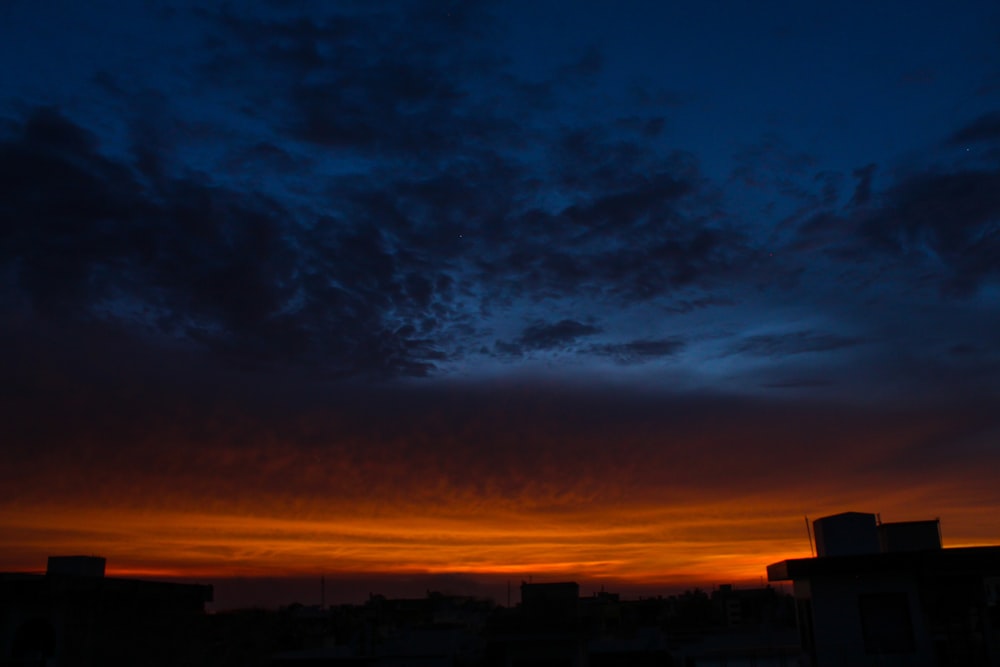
[889, 594]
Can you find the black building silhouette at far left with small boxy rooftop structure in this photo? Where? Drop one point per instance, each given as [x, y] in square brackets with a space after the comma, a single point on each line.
[74, 615]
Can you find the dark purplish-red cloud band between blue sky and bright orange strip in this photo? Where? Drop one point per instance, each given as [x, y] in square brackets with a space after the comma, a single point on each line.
[510, 445]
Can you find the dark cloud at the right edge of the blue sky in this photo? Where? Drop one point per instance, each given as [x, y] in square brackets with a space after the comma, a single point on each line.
[928, 227]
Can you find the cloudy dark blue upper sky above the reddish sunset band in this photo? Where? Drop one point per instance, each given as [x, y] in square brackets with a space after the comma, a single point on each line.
[780, 202]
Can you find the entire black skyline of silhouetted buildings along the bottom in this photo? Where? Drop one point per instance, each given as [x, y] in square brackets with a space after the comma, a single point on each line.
[886, 594]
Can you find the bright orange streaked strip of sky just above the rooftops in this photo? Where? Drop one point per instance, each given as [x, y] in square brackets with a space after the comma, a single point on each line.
[643, 545]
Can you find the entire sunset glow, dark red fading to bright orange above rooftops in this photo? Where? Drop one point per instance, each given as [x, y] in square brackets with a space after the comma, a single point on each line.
[636, 502]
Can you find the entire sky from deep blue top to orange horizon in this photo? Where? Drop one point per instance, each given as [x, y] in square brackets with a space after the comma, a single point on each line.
[469, 292]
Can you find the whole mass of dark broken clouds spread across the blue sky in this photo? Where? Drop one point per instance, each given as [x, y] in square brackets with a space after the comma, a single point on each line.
[403, 206]
